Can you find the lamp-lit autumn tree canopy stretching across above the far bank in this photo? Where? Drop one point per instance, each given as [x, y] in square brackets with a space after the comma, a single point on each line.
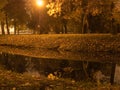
[63, 16]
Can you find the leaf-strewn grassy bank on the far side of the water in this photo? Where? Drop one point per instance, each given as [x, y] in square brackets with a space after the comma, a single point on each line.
[70, 42]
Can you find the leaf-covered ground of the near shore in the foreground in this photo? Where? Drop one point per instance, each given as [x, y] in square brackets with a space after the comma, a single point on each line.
[13, 81]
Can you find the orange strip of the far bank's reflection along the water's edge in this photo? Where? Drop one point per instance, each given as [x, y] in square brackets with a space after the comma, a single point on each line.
[66, 55]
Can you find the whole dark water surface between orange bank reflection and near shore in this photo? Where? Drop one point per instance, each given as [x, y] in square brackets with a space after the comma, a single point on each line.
[78, 70]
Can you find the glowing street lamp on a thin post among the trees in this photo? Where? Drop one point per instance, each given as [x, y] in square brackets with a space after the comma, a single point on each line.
[39, 4]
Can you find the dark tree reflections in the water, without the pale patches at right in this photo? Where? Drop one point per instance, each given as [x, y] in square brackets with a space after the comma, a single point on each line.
[77, 70]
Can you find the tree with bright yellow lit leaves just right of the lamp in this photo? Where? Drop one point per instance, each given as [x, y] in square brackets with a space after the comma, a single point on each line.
[61, 9]
